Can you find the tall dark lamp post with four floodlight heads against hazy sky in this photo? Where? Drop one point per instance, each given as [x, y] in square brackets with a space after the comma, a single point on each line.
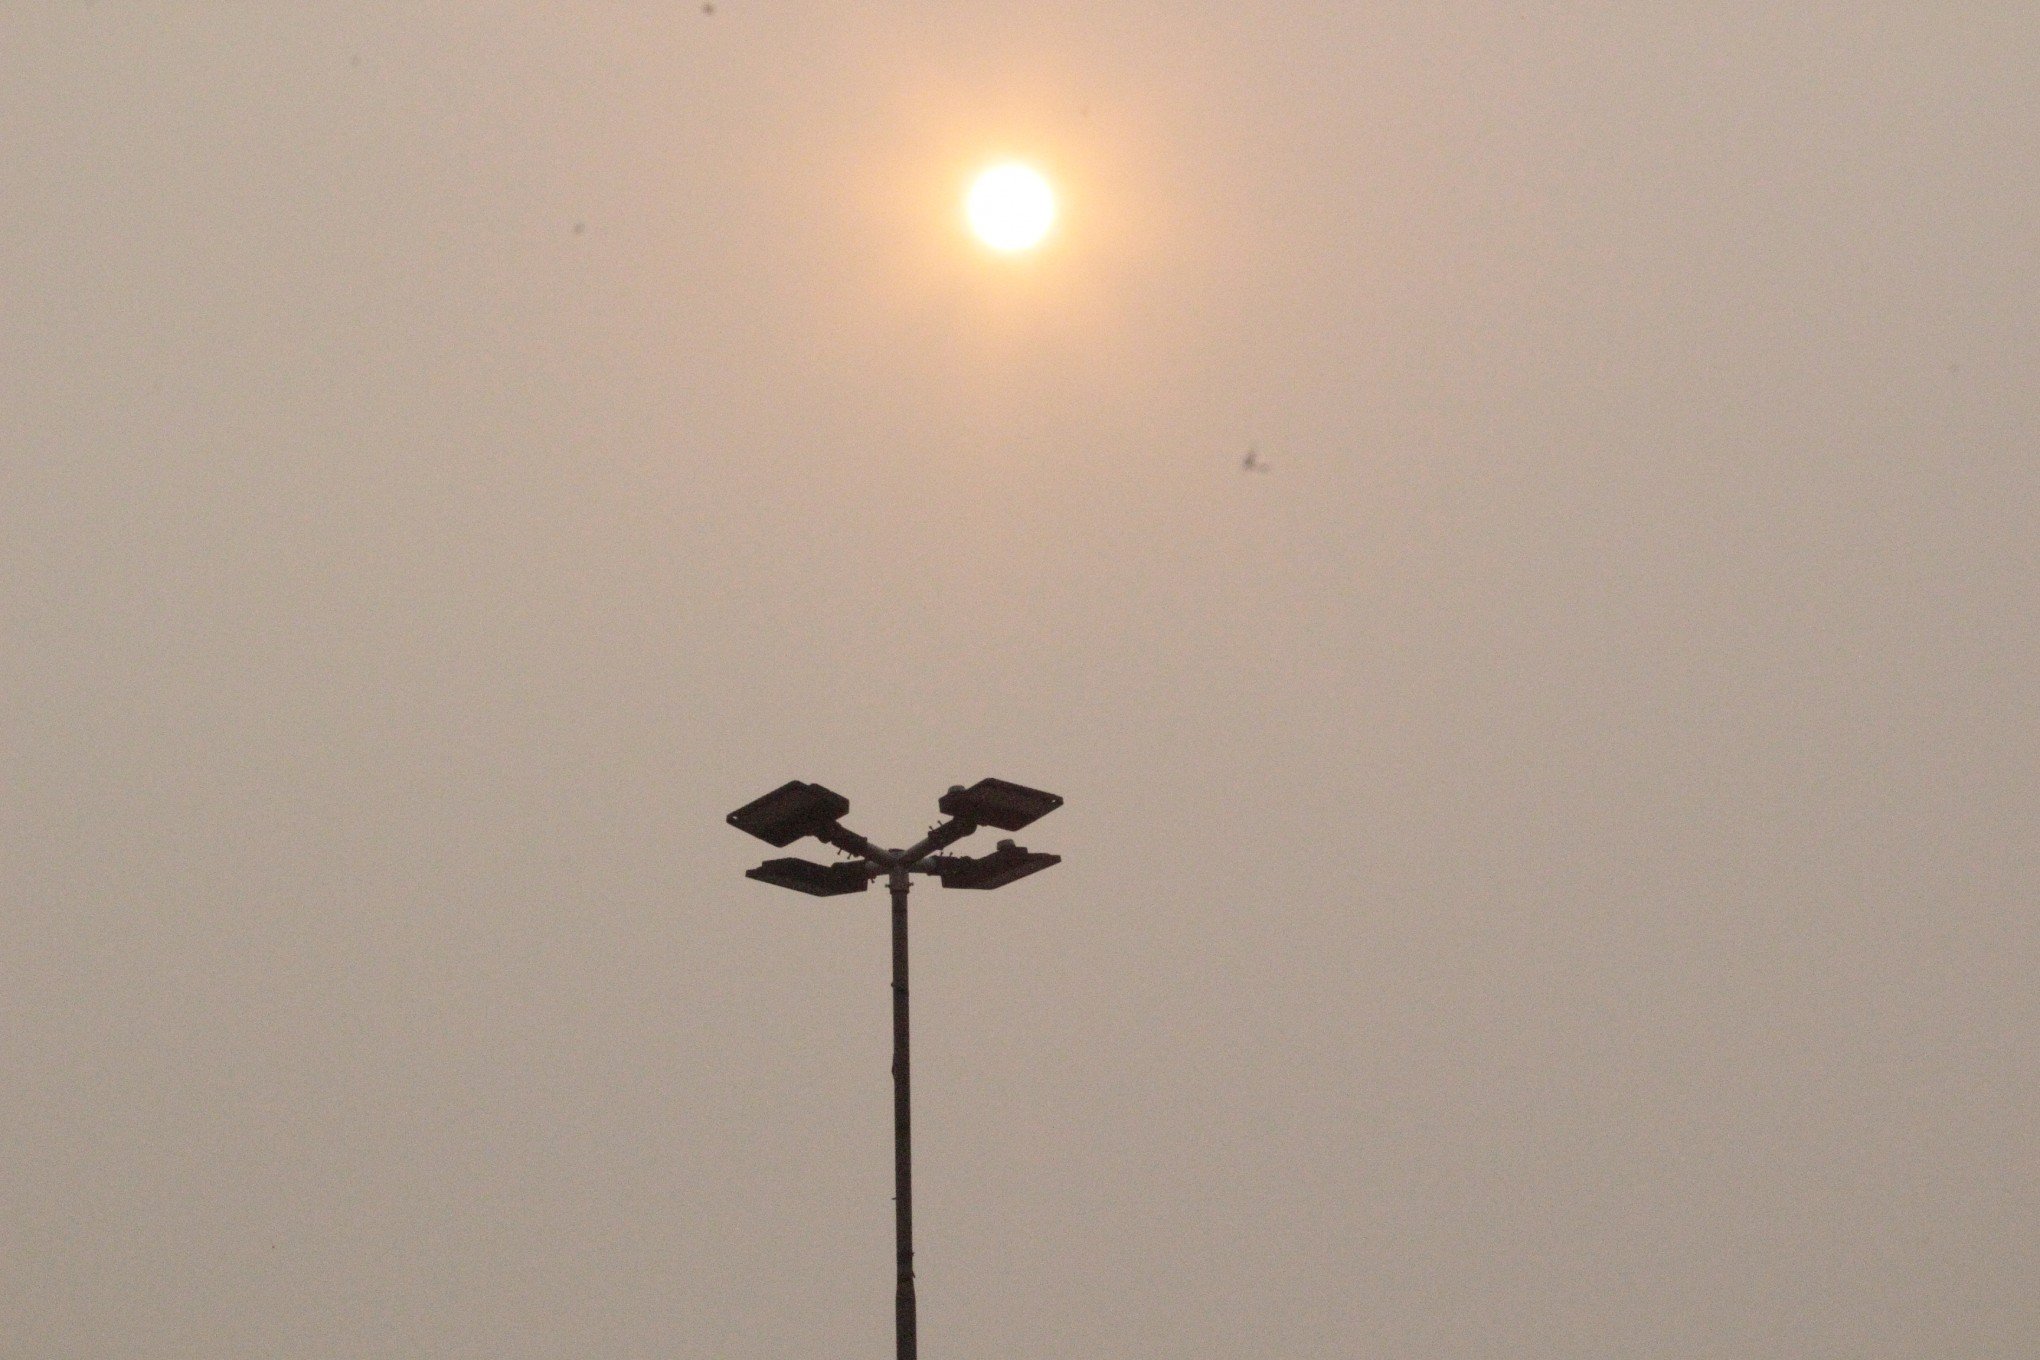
[799, 810]
